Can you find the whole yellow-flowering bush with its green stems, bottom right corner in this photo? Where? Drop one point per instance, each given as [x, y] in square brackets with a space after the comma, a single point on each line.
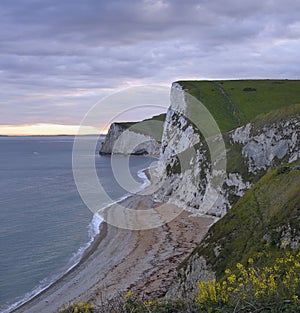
[262, 285]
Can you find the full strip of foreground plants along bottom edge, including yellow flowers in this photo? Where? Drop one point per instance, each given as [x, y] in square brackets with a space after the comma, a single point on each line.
[253, 287]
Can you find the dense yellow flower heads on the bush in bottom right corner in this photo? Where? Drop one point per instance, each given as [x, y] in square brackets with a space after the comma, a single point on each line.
[281, 279]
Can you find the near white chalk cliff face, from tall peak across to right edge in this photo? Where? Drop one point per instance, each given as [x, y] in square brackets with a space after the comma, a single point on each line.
[186, 172]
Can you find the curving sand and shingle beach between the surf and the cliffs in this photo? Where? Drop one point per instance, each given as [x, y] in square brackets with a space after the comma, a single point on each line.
[119, 260]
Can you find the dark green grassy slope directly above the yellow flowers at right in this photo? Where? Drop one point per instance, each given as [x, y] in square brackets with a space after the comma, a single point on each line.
[273, 202]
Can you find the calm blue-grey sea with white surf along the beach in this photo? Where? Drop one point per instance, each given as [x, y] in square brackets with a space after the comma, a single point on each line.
[44, 225]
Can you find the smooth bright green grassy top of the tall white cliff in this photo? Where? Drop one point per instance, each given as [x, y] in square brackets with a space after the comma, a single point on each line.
[236, 102]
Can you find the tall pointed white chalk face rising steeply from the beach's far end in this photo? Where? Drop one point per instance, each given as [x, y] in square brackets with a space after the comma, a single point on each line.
[185, 167]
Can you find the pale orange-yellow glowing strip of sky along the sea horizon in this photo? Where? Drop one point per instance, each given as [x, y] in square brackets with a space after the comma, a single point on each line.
[41, 129]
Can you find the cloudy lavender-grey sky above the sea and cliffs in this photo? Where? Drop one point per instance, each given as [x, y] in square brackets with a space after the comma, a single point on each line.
[59, 58]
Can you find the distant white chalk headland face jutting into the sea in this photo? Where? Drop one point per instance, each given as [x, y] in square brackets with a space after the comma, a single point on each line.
[121, 140]
